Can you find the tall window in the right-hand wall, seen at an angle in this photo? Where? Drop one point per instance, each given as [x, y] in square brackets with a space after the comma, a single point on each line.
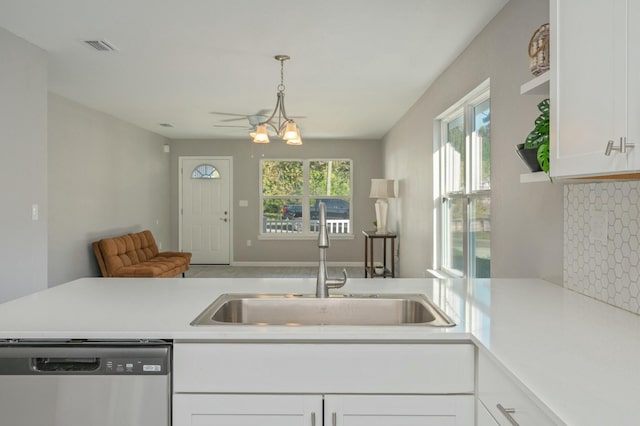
[464, 176]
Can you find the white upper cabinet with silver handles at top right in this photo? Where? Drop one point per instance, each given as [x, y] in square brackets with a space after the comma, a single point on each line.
[595, 98]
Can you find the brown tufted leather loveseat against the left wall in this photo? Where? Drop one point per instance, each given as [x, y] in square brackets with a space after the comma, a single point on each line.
[137, 255]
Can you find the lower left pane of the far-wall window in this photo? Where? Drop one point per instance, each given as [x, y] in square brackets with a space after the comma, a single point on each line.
[282, 215]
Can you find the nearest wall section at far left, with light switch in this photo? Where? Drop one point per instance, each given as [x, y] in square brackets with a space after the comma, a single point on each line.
[23, 167]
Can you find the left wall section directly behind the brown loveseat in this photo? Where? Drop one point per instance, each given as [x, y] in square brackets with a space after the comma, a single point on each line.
[106, 178]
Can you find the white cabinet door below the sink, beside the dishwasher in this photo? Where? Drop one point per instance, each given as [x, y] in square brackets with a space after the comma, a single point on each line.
[246, 410]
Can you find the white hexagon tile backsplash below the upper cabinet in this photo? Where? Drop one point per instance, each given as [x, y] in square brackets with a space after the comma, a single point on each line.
[601, 240]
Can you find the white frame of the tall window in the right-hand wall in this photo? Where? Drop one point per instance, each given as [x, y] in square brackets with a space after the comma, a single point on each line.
[468, 195]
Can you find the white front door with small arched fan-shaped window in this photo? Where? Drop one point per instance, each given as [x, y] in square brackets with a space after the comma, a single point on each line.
[205, 209]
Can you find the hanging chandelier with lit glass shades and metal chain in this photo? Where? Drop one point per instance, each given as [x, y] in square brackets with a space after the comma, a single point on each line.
[284, 127]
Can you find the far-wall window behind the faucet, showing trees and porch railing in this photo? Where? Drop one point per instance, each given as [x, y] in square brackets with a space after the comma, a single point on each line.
[291, 191]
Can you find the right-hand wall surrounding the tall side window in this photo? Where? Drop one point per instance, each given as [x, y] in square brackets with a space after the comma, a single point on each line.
[527, 223]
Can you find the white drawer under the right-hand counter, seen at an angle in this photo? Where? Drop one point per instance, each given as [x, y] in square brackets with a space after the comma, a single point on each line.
[496, 388]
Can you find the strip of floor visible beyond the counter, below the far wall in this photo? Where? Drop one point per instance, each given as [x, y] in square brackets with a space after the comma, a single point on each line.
[225, 271]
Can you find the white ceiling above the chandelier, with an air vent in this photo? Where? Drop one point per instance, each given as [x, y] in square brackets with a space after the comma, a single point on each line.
[356, 65]
